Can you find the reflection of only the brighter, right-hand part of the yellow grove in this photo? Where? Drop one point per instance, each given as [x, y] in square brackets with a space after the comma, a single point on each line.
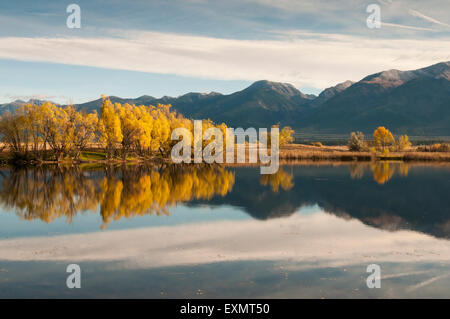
[155, 191]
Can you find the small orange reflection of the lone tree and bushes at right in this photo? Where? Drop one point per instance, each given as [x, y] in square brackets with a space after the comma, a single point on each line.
[382, 171]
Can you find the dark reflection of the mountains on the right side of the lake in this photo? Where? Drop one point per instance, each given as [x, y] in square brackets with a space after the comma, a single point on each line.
[389, 196]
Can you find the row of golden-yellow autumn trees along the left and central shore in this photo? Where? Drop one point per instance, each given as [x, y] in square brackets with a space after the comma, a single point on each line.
[54, 132]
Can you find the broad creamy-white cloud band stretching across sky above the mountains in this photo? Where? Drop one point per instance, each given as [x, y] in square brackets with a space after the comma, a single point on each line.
[304, 59]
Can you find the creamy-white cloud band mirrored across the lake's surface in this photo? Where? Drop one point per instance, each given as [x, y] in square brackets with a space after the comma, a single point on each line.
[305, 241]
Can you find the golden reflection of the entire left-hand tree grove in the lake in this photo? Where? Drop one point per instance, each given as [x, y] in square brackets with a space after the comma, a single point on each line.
[120, 192]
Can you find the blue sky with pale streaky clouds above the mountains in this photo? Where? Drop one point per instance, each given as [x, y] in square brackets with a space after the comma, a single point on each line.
[172, 47]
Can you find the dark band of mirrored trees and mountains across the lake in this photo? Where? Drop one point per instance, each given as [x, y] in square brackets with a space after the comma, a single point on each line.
[390, 196]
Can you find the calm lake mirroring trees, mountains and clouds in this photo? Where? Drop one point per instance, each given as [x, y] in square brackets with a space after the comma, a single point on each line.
[309, 231]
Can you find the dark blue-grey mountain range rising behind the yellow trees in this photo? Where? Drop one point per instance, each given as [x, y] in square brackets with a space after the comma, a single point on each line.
[415, 102]
